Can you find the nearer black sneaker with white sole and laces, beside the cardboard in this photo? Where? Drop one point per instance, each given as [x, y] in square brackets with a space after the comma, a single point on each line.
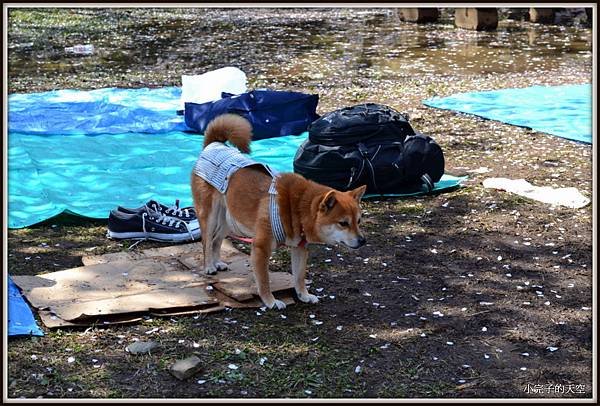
[148, 224]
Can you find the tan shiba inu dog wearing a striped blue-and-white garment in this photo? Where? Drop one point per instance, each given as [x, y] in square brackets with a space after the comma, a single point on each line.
[234, 194]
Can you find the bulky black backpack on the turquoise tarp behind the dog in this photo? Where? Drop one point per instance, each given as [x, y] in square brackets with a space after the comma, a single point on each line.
[369, 144]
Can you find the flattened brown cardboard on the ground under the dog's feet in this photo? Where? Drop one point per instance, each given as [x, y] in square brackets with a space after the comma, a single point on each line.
[122, 287]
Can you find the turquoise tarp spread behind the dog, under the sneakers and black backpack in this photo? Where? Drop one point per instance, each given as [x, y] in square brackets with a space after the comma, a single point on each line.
[90, 175]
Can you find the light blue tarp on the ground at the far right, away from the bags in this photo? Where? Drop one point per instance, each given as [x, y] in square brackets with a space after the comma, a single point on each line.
[564, 111]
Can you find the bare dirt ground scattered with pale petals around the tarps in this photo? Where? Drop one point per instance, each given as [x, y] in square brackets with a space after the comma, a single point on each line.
[470, 293]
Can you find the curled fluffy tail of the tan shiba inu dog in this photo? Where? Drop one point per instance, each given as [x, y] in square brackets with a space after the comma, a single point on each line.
[229, 127]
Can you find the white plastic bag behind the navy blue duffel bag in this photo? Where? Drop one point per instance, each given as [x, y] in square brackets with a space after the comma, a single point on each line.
[208, 86]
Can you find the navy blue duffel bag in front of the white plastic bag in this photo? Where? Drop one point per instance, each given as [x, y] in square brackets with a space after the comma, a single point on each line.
[271, 113]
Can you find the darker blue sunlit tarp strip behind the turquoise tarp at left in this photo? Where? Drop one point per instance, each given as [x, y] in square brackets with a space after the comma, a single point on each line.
[100, 111]
